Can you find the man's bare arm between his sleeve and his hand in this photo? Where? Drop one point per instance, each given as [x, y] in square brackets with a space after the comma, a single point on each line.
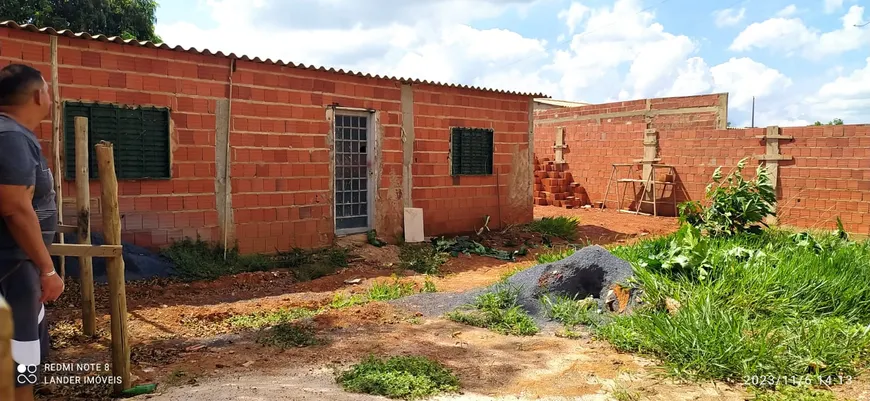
[16, 207]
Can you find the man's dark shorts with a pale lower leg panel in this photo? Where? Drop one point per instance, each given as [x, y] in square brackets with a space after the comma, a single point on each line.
[20, 286]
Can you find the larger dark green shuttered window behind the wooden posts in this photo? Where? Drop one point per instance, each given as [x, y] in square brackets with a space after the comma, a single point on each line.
[140, 137]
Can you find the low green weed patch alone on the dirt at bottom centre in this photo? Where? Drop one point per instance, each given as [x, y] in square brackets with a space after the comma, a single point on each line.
[403, 377]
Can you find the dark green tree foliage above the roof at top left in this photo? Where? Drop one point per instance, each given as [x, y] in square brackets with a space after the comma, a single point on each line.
[129, 19]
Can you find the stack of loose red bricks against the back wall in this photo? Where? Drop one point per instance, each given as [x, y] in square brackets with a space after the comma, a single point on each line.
[556, 187]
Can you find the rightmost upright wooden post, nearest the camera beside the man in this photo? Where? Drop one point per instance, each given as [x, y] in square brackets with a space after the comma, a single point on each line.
[114, 266]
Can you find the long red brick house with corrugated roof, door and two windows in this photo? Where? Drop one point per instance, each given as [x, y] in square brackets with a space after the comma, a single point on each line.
[276, 155]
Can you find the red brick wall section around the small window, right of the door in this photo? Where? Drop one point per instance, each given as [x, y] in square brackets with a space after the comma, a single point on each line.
[460, 204]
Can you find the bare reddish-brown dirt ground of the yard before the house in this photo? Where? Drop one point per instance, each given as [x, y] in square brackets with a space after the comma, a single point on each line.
[178, 339]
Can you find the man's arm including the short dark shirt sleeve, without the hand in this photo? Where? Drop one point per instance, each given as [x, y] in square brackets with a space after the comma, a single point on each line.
[17, 179]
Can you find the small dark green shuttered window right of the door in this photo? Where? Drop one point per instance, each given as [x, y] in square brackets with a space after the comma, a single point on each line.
[471, 151]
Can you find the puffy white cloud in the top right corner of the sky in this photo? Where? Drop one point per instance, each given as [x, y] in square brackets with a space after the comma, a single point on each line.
[792, 37]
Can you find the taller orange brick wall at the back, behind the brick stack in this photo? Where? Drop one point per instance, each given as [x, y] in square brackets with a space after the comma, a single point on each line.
[598, 136]
